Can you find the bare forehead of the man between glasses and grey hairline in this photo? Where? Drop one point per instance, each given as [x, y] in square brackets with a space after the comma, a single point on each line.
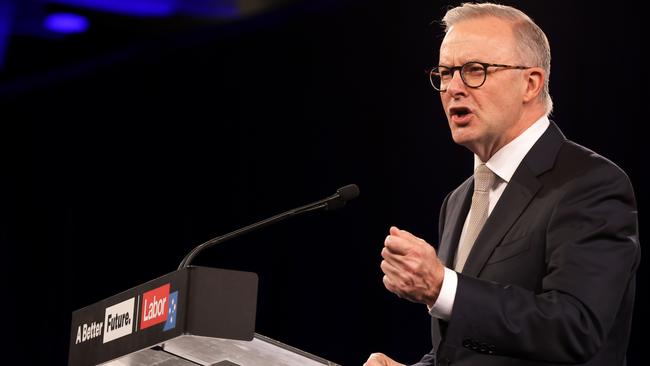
[485, 39]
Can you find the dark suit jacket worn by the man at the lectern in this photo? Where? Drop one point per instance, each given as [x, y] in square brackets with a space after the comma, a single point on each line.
[550, 279]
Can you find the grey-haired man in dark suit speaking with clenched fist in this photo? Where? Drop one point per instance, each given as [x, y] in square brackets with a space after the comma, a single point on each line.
[538, 251]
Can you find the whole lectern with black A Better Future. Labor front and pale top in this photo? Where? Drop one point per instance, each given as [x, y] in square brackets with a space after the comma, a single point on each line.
[193, 316]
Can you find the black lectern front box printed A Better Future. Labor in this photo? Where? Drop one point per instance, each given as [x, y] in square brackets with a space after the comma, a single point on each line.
[197, 300]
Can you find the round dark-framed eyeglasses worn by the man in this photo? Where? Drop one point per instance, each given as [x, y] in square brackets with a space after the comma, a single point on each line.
[472, 73]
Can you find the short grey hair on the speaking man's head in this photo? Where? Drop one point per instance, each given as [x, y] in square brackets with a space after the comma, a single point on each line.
[533, 44]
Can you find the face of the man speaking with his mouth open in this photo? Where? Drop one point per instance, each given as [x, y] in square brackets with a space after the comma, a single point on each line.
[483, 119]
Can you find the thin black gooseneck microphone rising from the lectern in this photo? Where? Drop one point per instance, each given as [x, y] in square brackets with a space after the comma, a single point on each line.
[333, 202]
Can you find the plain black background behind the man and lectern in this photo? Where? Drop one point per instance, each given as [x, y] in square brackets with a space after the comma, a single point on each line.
[124, 147]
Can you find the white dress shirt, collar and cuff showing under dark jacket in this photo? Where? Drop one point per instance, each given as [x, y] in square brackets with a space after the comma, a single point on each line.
[503, 163]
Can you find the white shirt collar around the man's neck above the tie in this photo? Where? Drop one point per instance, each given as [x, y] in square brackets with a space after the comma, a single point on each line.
[505, 161]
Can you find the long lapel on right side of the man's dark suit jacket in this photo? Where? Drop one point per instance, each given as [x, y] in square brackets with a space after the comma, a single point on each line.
[521, 189]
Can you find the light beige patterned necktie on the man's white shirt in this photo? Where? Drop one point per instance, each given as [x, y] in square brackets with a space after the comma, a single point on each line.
[478, 213]
